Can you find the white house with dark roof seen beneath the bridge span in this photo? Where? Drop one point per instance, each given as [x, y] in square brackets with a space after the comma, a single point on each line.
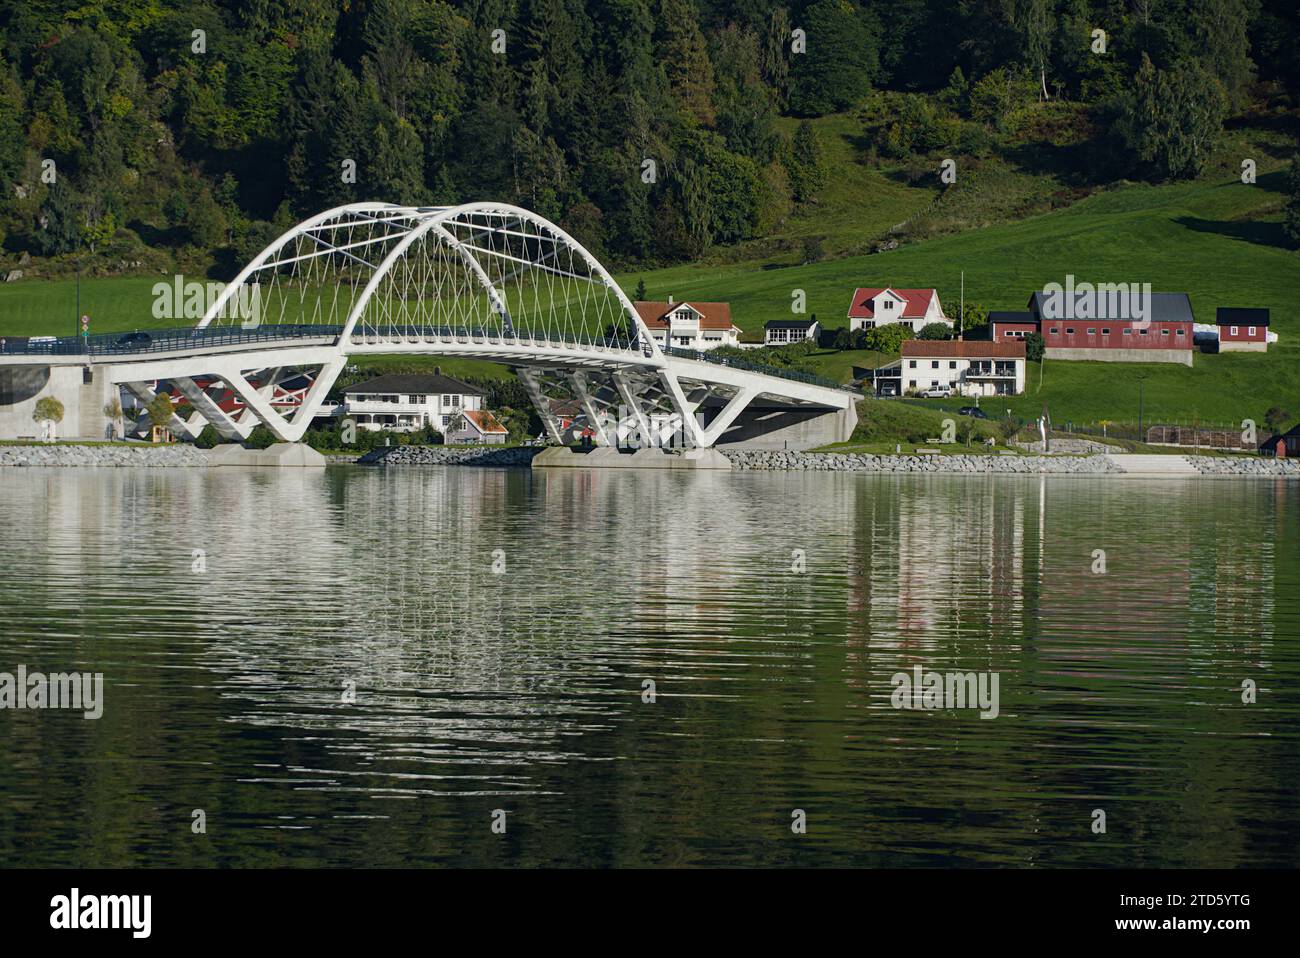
[409, 402]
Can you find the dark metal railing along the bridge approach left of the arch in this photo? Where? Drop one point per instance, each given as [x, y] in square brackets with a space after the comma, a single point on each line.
[161, 341]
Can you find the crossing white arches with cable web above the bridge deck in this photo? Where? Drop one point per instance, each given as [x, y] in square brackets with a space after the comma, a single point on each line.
[487, 268]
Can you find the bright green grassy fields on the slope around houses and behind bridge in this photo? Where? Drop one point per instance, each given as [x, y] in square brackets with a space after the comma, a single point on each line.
[1217, 240]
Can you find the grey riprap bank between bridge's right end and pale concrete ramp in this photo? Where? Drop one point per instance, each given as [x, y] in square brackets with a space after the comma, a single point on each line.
[837, 462]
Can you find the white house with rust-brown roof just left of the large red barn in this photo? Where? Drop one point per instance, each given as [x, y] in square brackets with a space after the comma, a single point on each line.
[968, 367]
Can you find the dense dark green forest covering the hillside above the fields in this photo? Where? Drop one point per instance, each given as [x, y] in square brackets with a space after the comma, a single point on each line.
[205, 128]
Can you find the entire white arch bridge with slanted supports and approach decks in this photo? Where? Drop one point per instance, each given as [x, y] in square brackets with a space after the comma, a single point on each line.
[482, 280]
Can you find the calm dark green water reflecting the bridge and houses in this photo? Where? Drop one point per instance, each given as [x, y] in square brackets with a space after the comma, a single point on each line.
[514, 679]
